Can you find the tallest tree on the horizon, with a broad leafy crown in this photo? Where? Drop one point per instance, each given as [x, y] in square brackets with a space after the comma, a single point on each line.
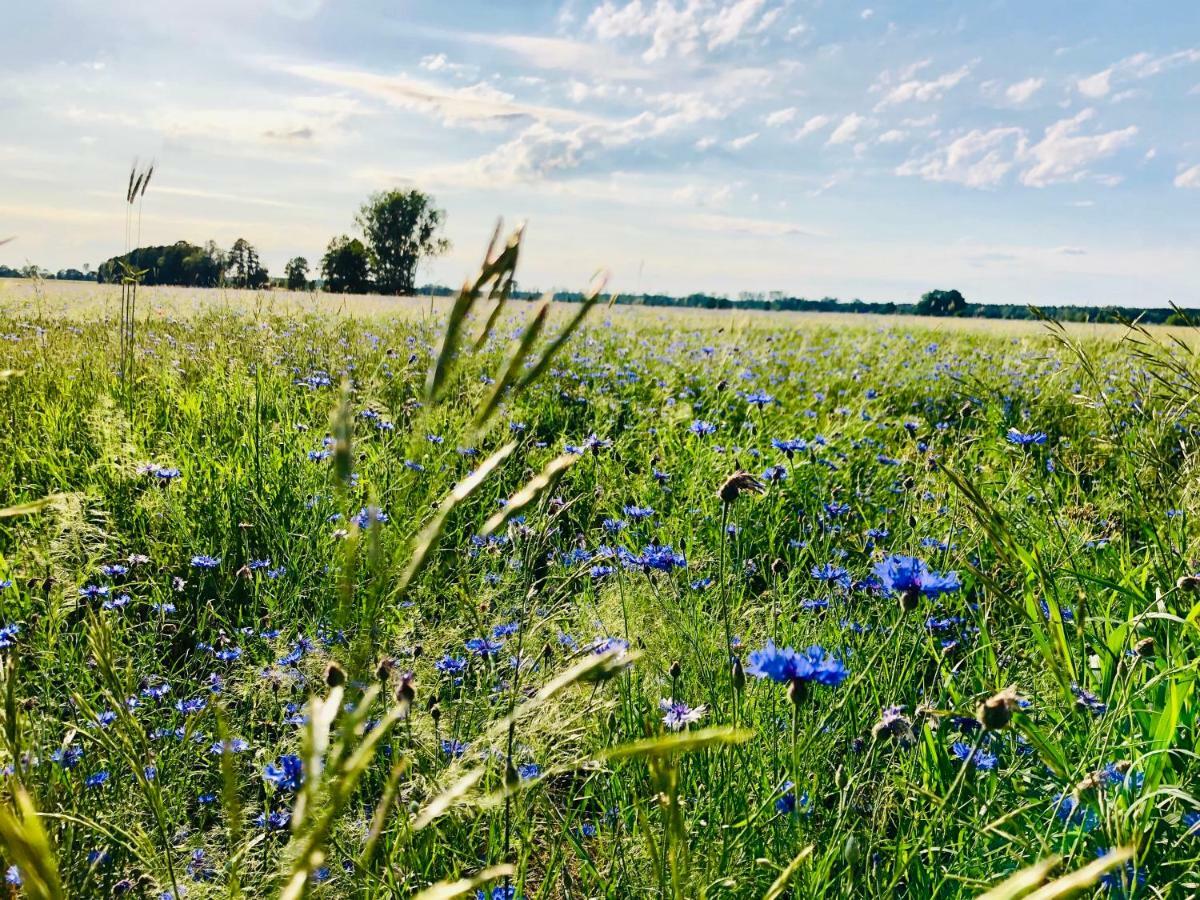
[400, 229]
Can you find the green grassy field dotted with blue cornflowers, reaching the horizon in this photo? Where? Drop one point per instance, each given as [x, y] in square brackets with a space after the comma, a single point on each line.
[320, 604]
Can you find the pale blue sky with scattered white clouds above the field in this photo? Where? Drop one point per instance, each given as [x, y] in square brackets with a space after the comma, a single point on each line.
[1017, 151]
